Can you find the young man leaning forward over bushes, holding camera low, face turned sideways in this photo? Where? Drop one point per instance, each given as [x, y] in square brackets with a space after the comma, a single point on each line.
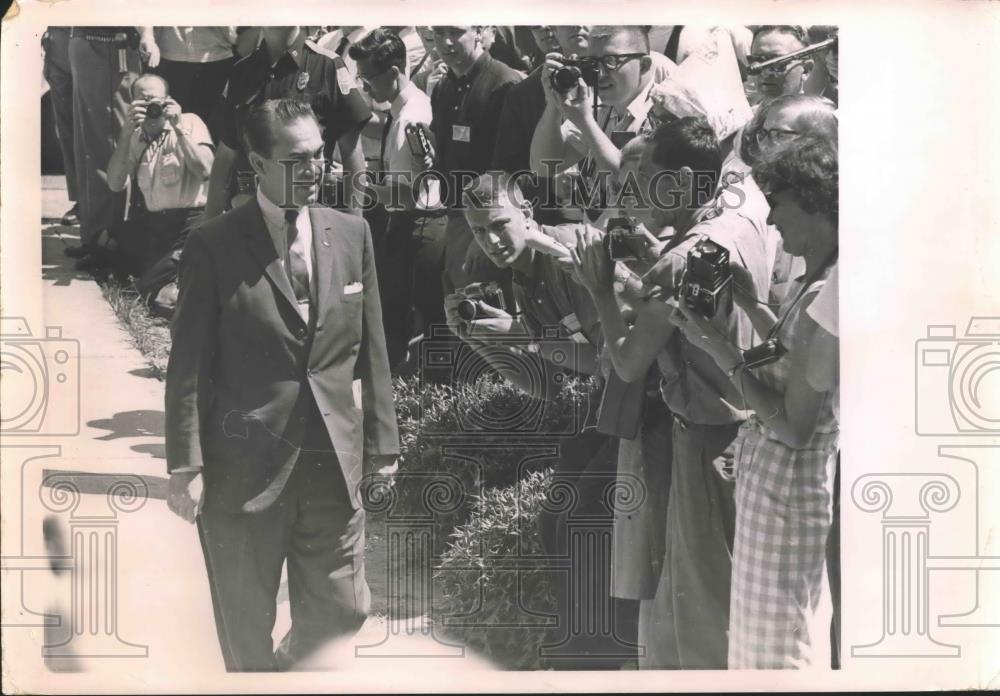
[553, 310]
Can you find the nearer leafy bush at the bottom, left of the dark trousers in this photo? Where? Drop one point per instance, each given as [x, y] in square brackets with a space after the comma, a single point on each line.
[488, 593]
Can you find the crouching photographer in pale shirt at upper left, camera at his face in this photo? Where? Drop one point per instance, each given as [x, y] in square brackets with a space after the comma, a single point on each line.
[169, 155]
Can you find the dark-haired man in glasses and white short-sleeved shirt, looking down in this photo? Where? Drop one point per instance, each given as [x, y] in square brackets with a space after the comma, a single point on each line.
[411, 253]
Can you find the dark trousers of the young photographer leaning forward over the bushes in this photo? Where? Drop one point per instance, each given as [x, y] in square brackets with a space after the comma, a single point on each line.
[595, 631]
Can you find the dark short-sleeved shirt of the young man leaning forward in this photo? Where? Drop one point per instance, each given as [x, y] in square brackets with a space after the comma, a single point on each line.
[550, 299]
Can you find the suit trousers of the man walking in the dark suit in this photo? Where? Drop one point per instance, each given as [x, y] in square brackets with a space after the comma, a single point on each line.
[313, 526]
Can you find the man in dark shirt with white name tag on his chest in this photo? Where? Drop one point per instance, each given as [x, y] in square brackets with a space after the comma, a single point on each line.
[466, 105]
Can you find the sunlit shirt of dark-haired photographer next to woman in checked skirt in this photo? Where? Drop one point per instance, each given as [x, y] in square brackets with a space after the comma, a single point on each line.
[692, 385]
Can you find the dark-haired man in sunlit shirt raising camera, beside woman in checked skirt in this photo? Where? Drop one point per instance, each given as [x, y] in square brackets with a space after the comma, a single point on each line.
[685, 626]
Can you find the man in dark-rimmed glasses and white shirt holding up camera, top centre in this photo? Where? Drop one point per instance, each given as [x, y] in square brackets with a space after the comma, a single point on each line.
[571, 133]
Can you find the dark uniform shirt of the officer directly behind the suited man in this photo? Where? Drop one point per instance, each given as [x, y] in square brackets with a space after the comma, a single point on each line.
[304, 72]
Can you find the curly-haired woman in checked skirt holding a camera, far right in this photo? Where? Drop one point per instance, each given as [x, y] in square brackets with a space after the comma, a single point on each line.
[785, 452]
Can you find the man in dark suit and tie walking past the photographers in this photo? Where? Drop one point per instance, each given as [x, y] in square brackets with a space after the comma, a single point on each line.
[278, 314]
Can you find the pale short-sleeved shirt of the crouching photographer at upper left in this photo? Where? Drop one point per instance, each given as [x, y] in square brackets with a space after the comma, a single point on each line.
[164, 178]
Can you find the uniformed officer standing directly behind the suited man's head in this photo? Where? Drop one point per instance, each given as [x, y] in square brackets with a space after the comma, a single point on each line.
[286, 65]
